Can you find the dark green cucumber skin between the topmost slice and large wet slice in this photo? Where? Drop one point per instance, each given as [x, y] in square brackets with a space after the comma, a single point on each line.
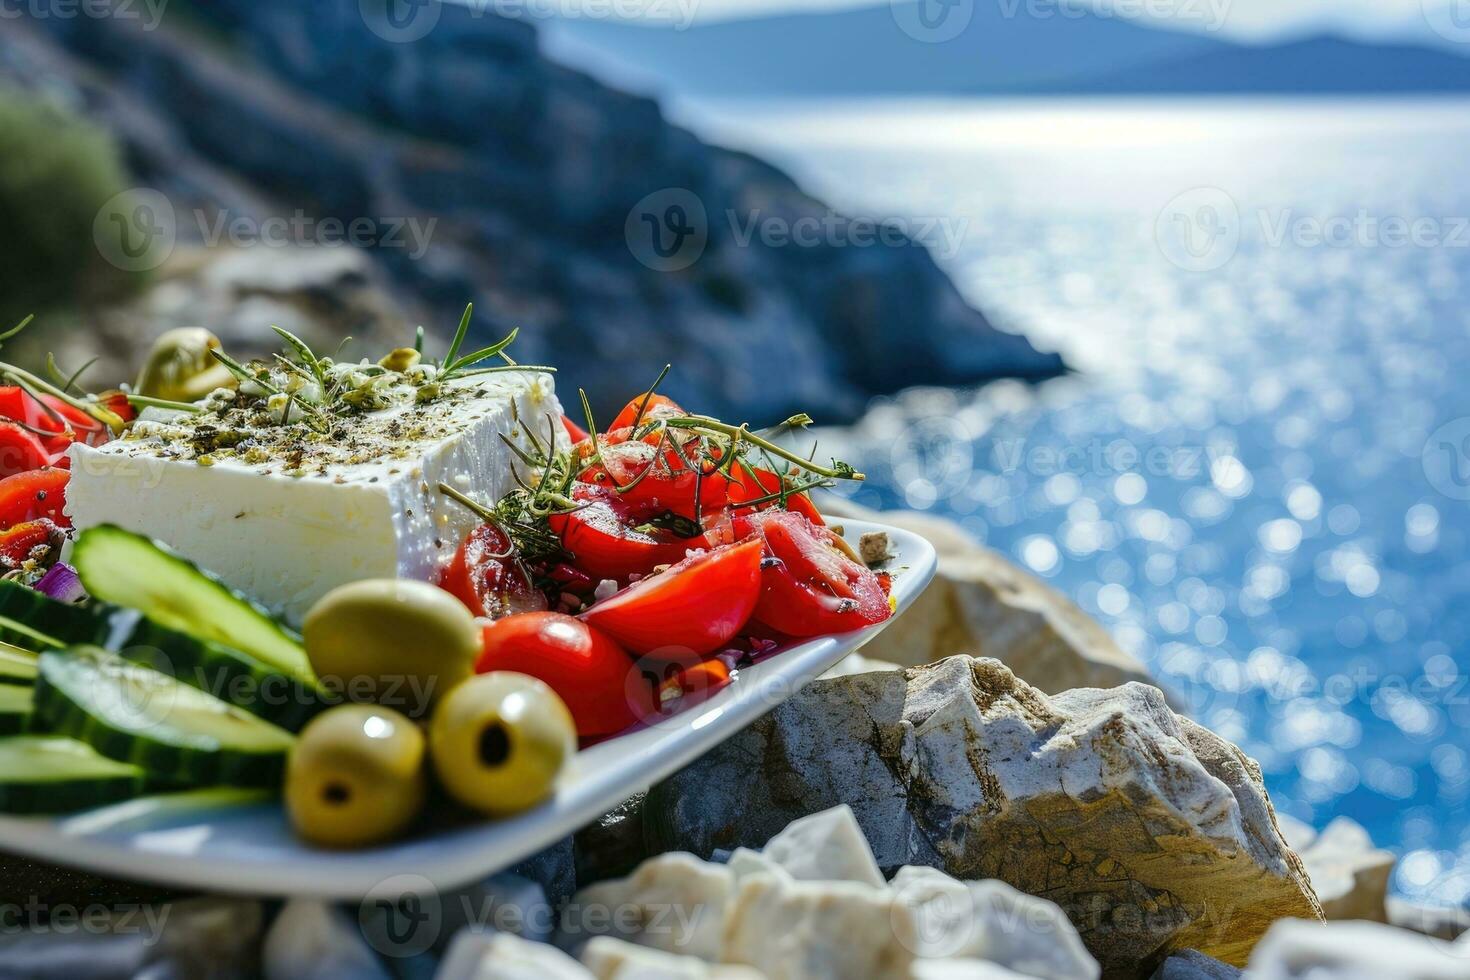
[224, 672]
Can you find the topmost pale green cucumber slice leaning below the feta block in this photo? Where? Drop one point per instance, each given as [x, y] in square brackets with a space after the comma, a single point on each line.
[127, 569]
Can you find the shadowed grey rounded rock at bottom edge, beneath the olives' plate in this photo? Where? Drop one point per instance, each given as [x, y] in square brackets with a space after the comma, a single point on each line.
[315, 941]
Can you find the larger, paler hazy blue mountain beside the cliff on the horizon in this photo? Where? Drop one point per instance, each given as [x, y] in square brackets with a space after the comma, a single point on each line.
[864, 51]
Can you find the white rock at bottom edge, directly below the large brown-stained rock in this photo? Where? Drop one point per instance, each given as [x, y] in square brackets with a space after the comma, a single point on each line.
[993, 922]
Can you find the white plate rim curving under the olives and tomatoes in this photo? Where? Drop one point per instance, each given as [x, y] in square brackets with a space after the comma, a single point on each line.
[245, 846]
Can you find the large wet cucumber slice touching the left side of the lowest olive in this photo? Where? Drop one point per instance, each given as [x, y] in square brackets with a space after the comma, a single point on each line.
[171, 731]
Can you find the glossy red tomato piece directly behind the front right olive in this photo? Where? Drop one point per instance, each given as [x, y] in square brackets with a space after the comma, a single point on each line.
[587, 669]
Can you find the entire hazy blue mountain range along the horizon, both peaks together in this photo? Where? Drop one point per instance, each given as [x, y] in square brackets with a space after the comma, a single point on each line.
[1002, 52]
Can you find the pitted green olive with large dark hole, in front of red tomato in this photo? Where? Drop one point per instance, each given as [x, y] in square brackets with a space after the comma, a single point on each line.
[499, 741]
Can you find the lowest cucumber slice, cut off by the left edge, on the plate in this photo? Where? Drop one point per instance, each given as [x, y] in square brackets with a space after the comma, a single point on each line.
[45, 775]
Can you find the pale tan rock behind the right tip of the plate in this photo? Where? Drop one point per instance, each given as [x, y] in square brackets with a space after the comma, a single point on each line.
[983, 605]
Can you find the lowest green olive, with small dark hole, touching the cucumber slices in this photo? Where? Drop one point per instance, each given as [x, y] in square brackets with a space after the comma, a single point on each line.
[355, 777]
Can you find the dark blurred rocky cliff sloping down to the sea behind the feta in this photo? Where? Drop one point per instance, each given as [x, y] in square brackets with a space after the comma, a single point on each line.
[526, 187]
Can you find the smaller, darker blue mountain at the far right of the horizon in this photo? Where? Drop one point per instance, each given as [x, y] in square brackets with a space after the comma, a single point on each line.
[1325, 65]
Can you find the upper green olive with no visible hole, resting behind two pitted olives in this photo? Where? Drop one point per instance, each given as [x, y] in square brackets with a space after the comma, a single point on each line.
[392, 641]
